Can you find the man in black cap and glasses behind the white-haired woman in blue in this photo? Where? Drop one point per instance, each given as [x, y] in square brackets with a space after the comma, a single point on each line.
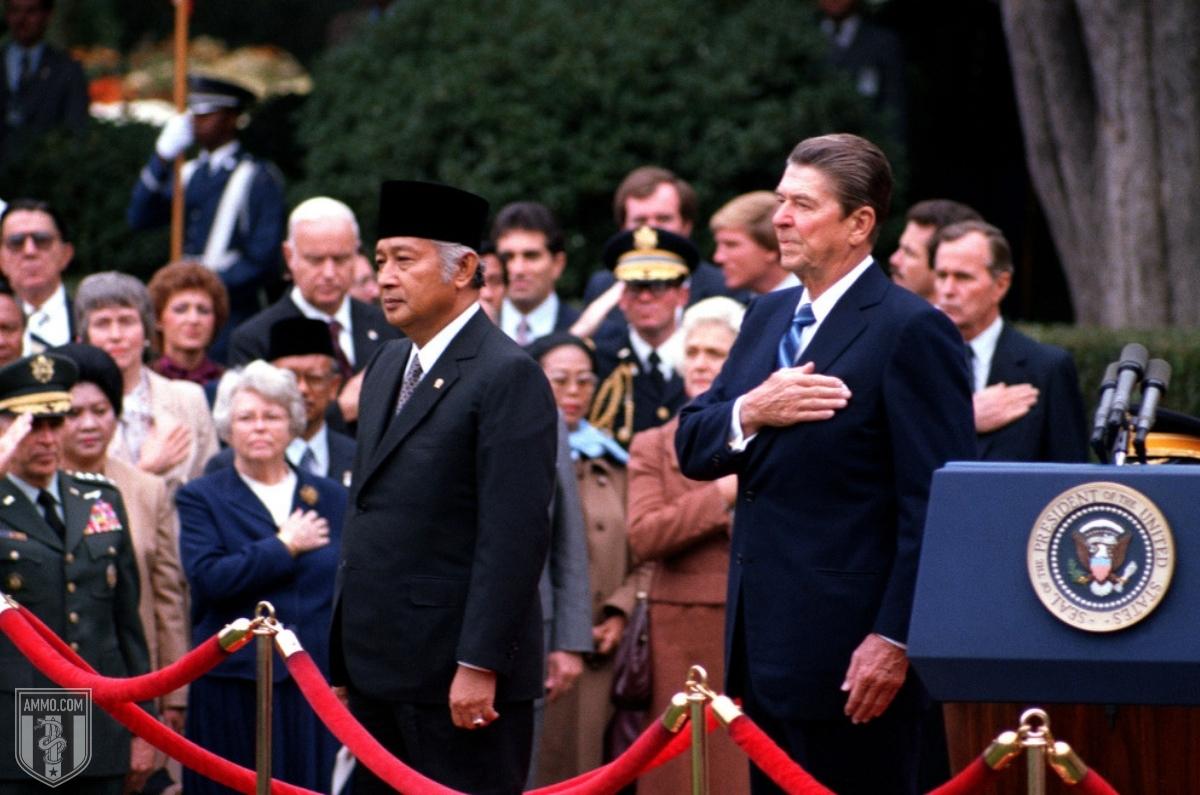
[303, 348]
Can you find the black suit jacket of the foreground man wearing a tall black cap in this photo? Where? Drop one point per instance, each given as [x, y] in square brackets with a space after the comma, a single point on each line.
[449, 524]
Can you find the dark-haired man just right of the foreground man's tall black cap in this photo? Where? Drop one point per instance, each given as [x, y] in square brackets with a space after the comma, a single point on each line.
[530, 246]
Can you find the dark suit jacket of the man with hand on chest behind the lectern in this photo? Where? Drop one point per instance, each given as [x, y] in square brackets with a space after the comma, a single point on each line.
[1054, 429]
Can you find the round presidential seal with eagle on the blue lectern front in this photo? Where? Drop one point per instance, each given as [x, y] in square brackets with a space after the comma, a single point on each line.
[1101, 557]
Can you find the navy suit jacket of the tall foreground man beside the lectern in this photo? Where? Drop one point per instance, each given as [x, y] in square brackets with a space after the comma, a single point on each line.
[830, 515]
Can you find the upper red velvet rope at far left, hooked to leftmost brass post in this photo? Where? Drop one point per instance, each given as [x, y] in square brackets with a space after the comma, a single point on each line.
[106, 690]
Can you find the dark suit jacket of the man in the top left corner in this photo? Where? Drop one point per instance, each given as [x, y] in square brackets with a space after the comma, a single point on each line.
[57, 95]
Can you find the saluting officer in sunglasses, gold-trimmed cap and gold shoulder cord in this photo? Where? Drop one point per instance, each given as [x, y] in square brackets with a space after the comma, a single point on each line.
[639, 385]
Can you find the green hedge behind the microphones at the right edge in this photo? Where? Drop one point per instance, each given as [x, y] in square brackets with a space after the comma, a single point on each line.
[1095, 349]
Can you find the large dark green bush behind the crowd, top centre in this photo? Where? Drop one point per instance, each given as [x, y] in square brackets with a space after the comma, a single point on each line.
[556, 100]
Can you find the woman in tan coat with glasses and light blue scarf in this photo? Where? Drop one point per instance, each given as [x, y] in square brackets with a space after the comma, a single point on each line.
[573, 734]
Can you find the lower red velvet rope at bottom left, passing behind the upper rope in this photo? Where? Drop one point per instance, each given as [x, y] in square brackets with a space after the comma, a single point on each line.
[143, 725]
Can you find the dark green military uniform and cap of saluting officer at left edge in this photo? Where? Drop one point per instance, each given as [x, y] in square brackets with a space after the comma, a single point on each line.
[85, 587]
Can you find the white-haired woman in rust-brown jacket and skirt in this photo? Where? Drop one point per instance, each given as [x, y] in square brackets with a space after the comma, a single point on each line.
[685, 527]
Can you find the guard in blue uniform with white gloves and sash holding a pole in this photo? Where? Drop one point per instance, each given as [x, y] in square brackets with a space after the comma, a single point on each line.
[235, 212]
